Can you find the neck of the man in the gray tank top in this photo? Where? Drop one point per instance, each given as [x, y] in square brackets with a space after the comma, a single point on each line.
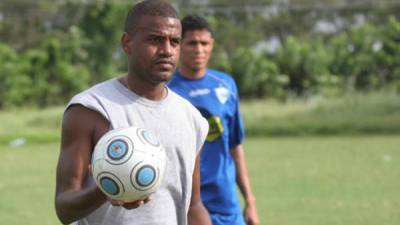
[154, 92]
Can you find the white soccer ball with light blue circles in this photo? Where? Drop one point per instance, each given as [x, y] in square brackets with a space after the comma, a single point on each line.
[128, 164]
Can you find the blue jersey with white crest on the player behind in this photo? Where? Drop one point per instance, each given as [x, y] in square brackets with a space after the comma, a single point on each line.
[215, 95]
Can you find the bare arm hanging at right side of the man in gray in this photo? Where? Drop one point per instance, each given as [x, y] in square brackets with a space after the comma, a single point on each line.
[198, 214]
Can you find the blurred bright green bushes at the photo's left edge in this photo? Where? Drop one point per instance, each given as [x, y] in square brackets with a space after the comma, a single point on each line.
[40, 76]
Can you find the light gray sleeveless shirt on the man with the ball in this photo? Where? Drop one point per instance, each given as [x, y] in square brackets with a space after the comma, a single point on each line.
[179, 127]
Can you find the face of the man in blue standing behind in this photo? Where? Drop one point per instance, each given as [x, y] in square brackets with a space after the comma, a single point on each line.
[196, 49]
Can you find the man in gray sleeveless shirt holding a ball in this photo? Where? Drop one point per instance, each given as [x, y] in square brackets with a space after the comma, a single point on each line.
[152, 42]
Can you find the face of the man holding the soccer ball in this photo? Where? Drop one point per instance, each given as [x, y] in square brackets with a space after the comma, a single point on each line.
[153, 48]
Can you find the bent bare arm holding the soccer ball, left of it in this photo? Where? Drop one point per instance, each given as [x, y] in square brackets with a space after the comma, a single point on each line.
[75, 199]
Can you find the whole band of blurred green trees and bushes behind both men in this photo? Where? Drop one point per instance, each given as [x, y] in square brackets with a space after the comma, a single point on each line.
[50, 50]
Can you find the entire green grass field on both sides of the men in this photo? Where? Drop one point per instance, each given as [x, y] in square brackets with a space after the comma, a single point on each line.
[301, 174]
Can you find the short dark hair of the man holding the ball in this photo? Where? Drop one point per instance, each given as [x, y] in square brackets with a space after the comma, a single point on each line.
[148, 8]
